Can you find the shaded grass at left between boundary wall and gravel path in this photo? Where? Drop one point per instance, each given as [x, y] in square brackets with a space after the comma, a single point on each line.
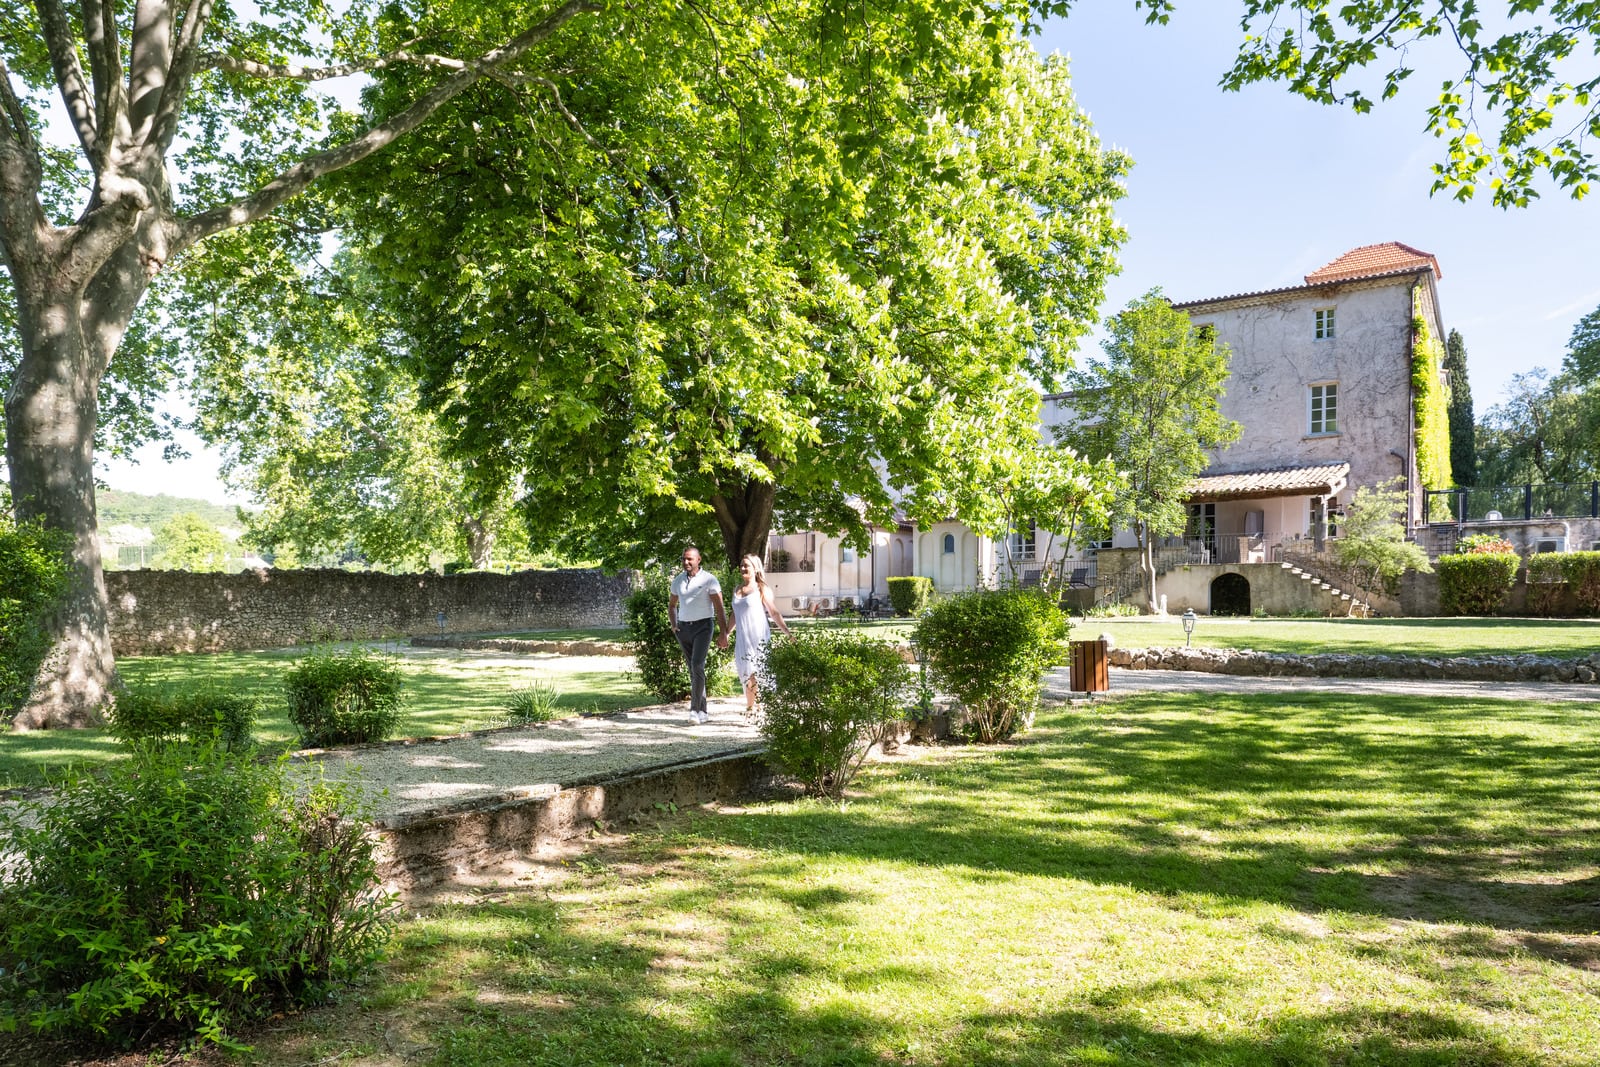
[447, 692]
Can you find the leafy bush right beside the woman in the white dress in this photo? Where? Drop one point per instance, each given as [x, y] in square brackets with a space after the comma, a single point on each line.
[830, 692]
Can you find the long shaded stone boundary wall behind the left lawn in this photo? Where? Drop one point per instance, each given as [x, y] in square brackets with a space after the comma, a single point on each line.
[177, 612]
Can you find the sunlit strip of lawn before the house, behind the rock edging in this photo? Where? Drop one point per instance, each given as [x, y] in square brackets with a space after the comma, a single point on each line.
[1402, 637]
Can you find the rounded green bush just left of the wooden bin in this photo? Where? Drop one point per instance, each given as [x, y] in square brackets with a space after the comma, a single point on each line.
[991, 650]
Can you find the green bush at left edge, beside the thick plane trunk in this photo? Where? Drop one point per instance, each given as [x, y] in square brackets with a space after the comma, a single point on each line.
[34, 578]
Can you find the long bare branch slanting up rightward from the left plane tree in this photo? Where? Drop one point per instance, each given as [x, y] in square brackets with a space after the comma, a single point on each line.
[297, 178]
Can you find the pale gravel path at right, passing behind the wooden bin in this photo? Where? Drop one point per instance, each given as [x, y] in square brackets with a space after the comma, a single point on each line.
[1124, 681]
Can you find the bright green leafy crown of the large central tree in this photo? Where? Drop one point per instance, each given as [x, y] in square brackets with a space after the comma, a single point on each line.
[806, 294]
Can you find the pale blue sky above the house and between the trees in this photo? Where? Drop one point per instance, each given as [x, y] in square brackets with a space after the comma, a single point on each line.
[1249, 191]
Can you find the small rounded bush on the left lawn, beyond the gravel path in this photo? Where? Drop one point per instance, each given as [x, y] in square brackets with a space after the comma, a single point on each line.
[345, 697]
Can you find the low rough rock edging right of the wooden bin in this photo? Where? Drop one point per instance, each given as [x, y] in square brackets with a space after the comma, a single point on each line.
[1236, 661]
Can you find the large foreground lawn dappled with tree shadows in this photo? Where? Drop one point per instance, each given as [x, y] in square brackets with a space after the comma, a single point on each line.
[1154, 881]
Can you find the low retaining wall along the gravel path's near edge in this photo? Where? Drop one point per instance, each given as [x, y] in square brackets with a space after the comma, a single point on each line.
[479, 841]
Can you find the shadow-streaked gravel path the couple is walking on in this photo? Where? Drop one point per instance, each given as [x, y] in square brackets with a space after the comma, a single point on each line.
[414, 777]
